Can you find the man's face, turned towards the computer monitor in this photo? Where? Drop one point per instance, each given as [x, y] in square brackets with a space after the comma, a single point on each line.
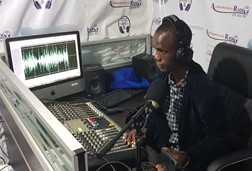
[165, 45]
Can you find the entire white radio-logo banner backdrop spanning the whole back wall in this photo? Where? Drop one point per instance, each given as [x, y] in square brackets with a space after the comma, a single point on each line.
[211, 22]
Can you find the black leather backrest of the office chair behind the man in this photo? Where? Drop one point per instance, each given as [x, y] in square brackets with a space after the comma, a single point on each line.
[231, 69]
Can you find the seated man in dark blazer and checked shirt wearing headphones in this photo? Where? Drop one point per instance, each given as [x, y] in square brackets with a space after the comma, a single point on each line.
[190, 125]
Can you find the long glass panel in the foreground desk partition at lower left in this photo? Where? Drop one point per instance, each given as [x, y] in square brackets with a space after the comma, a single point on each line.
[52, 149]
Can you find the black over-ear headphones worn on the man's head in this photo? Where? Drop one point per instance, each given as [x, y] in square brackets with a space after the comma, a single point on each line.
[184, 54]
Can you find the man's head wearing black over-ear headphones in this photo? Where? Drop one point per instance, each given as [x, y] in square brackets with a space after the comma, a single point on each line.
[172, 43]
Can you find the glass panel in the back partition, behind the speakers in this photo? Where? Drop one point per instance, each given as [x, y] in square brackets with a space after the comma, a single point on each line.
[112, 53]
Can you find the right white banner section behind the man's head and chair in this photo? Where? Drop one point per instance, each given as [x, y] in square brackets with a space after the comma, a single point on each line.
[211, 22]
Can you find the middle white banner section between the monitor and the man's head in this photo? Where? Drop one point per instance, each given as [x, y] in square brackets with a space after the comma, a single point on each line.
[118, 18]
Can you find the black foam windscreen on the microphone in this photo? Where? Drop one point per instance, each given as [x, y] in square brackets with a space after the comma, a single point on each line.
[157, 91]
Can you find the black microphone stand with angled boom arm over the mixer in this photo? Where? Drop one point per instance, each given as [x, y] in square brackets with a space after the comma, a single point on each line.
[112, 142]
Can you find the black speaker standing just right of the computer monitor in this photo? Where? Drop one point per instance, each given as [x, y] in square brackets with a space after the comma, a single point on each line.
[94, 79]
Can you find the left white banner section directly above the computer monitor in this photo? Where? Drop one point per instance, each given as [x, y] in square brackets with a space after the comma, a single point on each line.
[28, 17]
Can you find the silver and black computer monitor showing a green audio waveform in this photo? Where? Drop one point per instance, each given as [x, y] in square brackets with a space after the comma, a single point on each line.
[49, 64]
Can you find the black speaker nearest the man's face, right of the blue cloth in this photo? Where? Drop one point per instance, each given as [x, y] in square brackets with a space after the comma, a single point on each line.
[144, 66]
